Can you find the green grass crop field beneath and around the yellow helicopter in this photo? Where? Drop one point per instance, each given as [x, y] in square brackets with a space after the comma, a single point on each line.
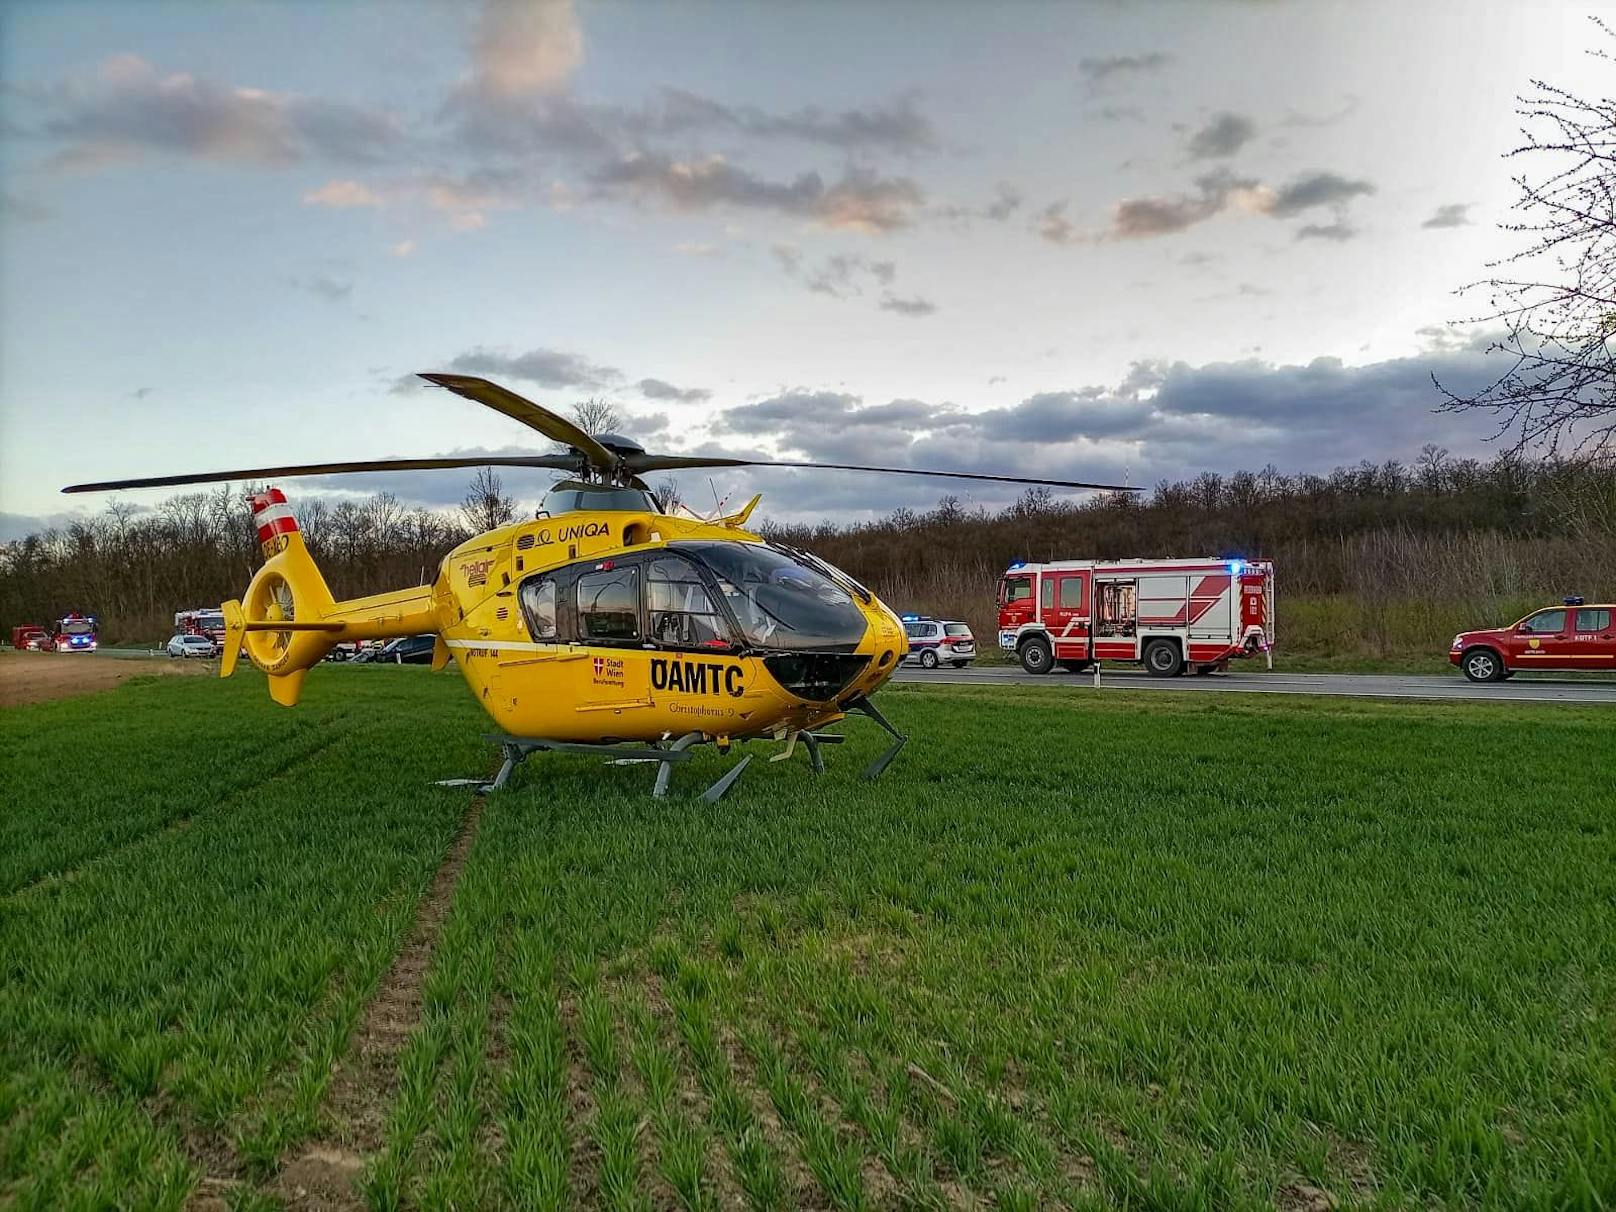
[1075, 949]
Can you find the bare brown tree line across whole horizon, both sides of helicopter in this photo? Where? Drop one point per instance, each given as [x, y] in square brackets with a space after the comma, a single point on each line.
[1437, 529]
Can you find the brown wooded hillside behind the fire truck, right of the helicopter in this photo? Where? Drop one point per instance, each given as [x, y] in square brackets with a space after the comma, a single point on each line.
[1360, 553]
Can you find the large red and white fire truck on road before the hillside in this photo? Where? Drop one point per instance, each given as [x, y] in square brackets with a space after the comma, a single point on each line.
[1172, 615]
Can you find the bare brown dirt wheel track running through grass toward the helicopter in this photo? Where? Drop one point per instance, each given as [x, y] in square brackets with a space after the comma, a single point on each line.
[364, 1084]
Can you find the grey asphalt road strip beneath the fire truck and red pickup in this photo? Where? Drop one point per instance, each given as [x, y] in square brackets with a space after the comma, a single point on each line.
[1534, 689]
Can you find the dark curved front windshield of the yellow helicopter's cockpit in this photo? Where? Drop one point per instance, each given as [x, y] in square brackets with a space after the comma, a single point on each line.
[780, 602]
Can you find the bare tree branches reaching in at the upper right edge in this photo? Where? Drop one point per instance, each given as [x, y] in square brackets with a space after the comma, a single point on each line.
[1557, 301]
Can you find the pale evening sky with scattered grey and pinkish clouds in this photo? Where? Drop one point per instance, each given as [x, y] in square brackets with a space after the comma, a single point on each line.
[1087, 242]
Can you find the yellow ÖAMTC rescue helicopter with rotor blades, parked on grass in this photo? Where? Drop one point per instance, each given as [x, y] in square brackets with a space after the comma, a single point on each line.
[604, 626]
